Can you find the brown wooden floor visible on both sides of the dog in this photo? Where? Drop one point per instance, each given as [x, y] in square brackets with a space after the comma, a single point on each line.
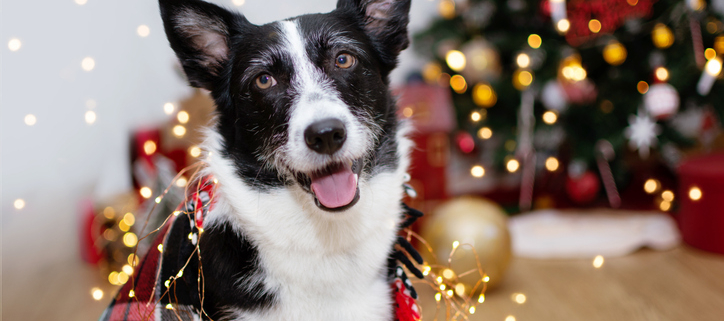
[682, 284]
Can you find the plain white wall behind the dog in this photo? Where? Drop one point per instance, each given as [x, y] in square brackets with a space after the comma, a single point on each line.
[61, 159]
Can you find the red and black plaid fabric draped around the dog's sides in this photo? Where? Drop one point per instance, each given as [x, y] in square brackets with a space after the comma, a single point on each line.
[167, 285]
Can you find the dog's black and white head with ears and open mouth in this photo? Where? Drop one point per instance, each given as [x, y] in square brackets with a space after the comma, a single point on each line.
[301, 101]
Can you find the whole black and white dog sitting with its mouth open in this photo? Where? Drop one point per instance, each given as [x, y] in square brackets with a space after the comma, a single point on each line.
[309, 155]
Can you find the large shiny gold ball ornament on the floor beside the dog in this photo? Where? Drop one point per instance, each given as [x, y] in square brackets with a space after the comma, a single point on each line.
[475, 221]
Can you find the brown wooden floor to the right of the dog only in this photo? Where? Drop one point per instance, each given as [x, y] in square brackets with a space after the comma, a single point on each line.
[682, 284]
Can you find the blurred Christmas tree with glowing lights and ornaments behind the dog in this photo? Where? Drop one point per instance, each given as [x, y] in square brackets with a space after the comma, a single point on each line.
[588, 82]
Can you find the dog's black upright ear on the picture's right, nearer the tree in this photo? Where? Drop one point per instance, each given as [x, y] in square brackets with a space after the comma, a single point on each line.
[385, 21]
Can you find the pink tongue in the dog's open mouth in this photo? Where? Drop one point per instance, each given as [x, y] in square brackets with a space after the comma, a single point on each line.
[336, 189]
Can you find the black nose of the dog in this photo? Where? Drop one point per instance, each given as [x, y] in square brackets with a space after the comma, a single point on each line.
[325, 136]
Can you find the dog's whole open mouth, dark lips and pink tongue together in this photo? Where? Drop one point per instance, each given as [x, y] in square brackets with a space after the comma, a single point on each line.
[335, 187]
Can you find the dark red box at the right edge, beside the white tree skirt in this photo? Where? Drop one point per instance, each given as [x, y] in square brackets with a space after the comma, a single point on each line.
[701, 215]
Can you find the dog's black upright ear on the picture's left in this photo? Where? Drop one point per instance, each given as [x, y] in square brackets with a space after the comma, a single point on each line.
[199, 33]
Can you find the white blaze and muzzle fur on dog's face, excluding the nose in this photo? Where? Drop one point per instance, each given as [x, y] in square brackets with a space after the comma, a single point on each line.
[315, 99]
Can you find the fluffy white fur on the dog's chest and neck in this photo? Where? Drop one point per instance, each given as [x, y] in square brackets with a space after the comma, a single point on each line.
[323, 266]
